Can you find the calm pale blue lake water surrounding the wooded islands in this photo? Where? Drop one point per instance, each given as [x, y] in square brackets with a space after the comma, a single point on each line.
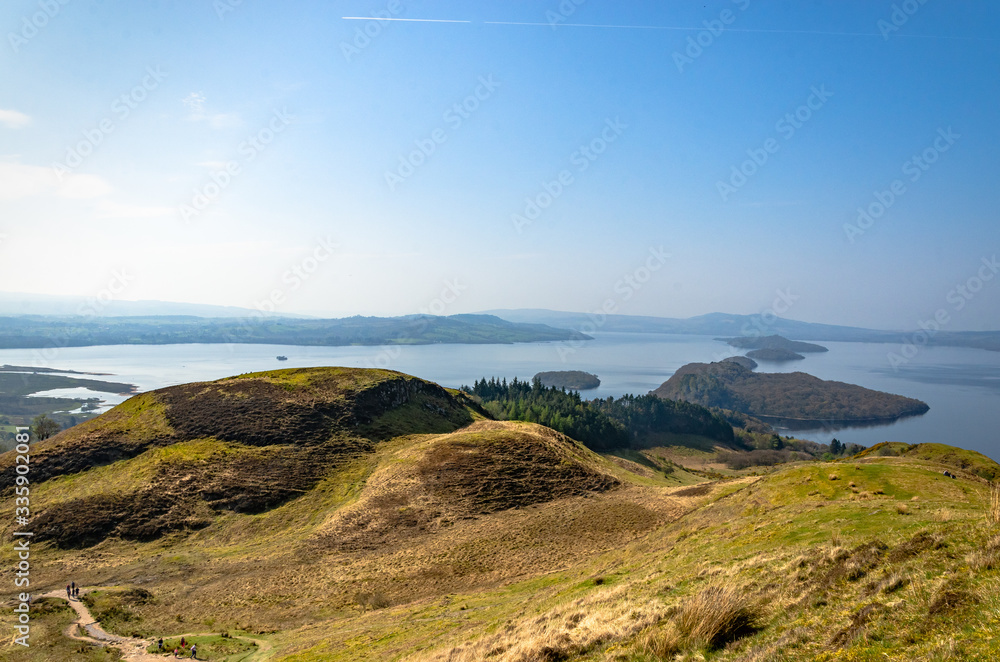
[962, 386]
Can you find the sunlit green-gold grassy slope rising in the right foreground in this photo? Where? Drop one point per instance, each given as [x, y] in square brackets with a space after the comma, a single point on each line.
[807, 552]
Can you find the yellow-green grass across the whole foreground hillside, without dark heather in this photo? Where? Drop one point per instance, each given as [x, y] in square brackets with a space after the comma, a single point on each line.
[603, 575]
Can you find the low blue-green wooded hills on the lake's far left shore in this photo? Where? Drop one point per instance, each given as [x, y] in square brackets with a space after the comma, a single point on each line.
[40, 331]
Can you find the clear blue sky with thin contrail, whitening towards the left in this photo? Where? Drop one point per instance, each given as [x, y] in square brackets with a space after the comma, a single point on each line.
[300, 122]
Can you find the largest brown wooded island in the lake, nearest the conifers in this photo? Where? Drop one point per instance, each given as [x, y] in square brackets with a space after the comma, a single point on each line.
[788, 396]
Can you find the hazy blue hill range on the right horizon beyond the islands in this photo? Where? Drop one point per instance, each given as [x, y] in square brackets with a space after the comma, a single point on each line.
[724, 324]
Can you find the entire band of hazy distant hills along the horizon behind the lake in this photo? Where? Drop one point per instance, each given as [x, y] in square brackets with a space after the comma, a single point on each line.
[550, 325]
